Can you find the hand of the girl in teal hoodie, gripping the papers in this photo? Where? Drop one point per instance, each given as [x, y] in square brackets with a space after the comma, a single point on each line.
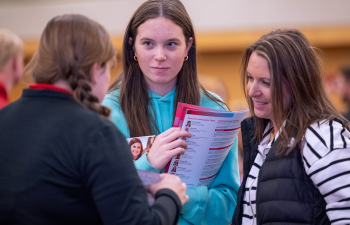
[166, 146]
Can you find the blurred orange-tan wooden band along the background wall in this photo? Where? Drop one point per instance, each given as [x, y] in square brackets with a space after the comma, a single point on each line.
[219, 56]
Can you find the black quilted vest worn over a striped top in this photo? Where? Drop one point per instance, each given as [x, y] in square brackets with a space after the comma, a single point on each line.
[285, 194]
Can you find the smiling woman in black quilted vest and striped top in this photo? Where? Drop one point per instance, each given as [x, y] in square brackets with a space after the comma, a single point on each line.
[296, 144]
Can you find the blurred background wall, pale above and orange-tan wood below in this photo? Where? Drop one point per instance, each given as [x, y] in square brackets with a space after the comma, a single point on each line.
[224, 28]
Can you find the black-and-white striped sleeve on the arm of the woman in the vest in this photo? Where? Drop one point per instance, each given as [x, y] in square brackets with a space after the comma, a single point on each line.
[326, 157]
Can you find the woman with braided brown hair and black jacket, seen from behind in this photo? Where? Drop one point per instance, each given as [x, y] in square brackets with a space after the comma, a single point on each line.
[61, 160]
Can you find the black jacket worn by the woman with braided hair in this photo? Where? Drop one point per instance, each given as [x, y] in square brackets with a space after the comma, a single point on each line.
[61, 163]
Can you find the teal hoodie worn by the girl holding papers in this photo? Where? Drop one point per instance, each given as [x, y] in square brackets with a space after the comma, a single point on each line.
[213, 205]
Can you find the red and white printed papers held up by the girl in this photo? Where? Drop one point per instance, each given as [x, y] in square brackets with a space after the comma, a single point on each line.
[213, 133]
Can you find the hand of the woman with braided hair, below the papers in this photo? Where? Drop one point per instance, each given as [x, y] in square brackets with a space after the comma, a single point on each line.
[171, 182]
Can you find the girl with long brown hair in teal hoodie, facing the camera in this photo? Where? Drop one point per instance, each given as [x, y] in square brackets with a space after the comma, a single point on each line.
[160, 70]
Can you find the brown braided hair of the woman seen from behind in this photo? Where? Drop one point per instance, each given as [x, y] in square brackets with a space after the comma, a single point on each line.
[69, 46]
